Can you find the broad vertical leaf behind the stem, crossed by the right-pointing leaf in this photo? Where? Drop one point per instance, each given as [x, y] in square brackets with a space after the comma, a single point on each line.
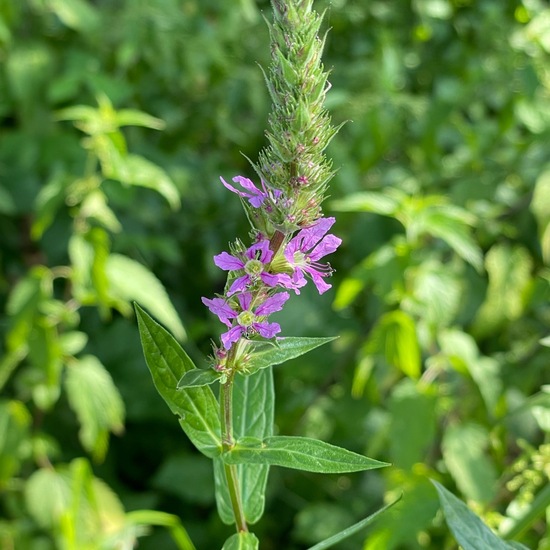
[253, 415]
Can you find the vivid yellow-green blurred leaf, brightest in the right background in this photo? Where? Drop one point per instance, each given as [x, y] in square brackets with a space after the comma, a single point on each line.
[394, 337]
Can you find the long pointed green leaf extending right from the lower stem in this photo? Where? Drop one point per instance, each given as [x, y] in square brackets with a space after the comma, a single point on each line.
[301, 453]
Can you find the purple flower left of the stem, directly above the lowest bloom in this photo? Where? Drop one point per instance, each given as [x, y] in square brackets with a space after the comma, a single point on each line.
[254, 262]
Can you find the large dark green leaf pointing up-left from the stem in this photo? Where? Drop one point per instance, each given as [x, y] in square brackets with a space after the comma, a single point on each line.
[197, 408]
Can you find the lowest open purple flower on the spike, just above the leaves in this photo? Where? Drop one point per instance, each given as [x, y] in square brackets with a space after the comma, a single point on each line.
[245, 321]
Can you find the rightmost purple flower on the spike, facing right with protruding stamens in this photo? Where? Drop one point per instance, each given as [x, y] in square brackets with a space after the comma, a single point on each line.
[306, 248]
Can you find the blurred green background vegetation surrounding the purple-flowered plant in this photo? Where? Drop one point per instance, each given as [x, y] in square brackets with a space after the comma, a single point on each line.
[117, 118]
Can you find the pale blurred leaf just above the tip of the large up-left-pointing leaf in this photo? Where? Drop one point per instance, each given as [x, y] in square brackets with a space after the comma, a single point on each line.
[131, 281]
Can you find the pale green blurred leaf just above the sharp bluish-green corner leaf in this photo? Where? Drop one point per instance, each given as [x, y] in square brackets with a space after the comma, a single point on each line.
[464, 451]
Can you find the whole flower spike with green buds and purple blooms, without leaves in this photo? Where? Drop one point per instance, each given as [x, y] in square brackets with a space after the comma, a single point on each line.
[289, 231]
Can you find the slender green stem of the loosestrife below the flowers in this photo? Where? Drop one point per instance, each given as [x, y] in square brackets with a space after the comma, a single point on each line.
[226, 415]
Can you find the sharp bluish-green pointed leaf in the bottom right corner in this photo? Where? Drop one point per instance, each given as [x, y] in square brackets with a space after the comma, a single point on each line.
[469, 531]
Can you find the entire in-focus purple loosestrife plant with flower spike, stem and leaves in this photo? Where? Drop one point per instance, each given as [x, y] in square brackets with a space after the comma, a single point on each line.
[289, 240]
